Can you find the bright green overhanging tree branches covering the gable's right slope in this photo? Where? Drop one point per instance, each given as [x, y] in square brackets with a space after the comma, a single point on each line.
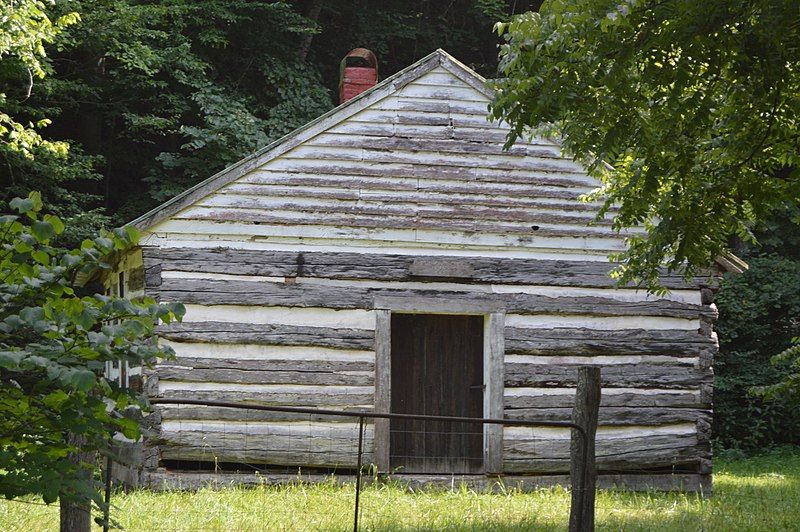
[695, 106]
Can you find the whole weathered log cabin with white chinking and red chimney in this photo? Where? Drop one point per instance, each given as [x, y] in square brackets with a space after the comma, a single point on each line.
[392, 255]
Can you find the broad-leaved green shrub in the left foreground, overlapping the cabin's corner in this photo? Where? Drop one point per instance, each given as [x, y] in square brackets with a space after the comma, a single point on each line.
[54, 344]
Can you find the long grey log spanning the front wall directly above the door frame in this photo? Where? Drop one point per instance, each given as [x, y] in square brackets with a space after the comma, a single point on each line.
[233, 292]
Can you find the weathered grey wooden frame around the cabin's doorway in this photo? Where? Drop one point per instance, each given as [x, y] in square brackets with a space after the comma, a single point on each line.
[493, 352]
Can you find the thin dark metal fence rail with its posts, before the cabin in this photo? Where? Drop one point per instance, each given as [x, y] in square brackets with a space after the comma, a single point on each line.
[361, 416]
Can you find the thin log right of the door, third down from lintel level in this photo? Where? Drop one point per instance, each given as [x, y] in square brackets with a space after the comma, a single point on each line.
[621, 398]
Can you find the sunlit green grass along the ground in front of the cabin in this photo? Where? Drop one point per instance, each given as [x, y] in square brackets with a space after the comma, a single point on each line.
[761, 493]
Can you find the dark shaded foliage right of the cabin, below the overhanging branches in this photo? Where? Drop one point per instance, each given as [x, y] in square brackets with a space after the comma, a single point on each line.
[759, 317]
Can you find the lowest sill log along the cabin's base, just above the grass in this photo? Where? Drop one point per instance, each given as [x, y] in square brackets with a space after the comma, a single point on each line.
[169, 480]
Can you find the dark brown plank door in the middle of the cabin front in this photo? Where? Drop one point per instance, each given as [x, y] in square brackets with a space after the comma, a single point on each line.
[437, 369]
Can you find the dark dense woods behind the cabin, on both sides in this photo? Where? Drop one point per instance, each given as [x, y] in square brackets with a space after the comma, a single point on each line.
[154, 96]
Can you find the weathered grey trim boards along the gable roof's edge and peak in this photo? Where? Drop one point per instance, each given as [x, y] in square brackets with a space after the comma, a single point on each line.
[438, 58]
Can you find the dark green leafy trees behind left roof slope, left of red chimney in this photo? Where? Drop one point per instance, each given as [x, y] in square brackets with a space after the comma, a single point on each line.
[170, 92]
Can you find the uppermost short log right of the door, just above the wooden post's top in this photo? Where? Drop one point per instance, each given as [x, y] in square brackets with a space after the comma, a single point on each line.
[580, 341]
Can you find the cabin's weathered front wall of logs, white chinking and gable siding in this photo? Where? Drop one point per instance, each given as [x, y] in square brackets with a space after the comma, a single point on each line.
[415, 197]
